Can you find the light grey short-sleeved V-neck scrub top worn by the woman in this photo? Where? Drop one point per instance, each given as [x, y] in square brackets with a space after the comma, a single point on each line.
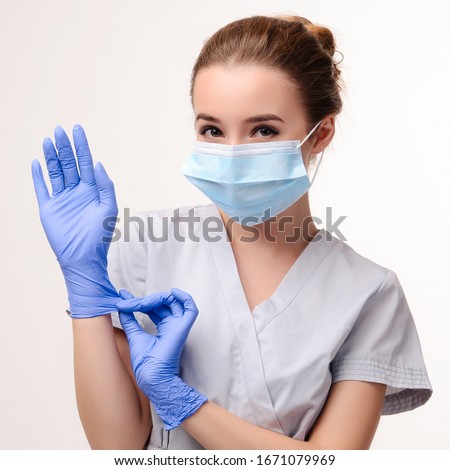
[335, 316]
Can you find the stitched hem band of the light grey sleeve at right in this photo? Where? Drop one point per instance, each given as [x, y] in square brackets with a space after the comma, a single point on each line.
[408, 388]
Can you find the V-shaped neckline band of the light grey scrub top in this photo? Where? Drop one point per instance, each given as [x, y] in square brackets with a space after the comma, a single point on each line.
[289, 287]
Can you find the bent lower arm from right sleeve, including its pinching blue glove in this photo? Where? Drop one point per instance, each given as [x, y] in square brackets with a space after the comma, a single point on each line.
[348, 420]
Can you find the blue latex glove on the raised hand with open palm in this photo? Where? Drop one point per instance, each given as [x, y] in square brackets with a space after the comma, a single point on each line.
[73, 220]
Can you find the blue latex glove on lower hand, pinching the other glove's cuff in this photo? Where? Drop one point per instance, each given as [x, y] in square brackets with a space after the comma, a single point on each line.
[156, 359]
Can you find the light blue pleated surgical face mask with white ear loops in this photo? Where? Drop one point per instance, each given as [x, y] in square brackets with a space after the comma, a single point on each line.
[250, 182]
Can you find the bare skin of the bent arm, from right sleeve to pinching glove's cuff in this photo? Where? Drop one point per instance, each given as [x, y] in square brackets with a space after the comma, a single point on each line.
[348, 420]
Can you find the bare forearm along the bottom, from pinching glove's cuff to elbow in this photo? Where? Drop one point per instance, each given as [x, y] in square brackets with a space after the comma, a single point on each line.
[216, 428]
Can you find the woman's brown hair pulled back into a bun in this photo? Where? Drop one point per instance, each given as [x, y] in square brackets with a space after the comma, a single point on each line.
[292, 44]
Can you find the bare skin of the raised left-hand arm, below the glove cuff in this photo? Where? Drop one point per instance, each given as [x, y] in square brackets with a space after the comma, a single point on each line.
[114, 412]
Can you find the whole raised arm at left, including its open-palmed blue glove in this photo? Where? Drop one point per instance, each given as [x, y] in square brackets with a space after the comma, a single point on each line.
[78, 220]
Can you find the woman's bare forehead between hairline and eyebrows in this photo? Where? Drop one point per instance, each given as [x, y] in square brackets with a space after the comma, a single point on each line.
[244, 90]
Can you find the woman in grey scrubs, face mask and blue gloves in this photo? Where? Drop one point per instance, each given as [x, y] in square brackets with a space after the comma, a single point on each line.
[291, 339]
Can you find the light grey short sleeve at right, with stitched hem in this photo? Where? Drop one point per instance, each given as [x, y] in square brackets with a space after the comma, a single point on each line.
[383, 346]
